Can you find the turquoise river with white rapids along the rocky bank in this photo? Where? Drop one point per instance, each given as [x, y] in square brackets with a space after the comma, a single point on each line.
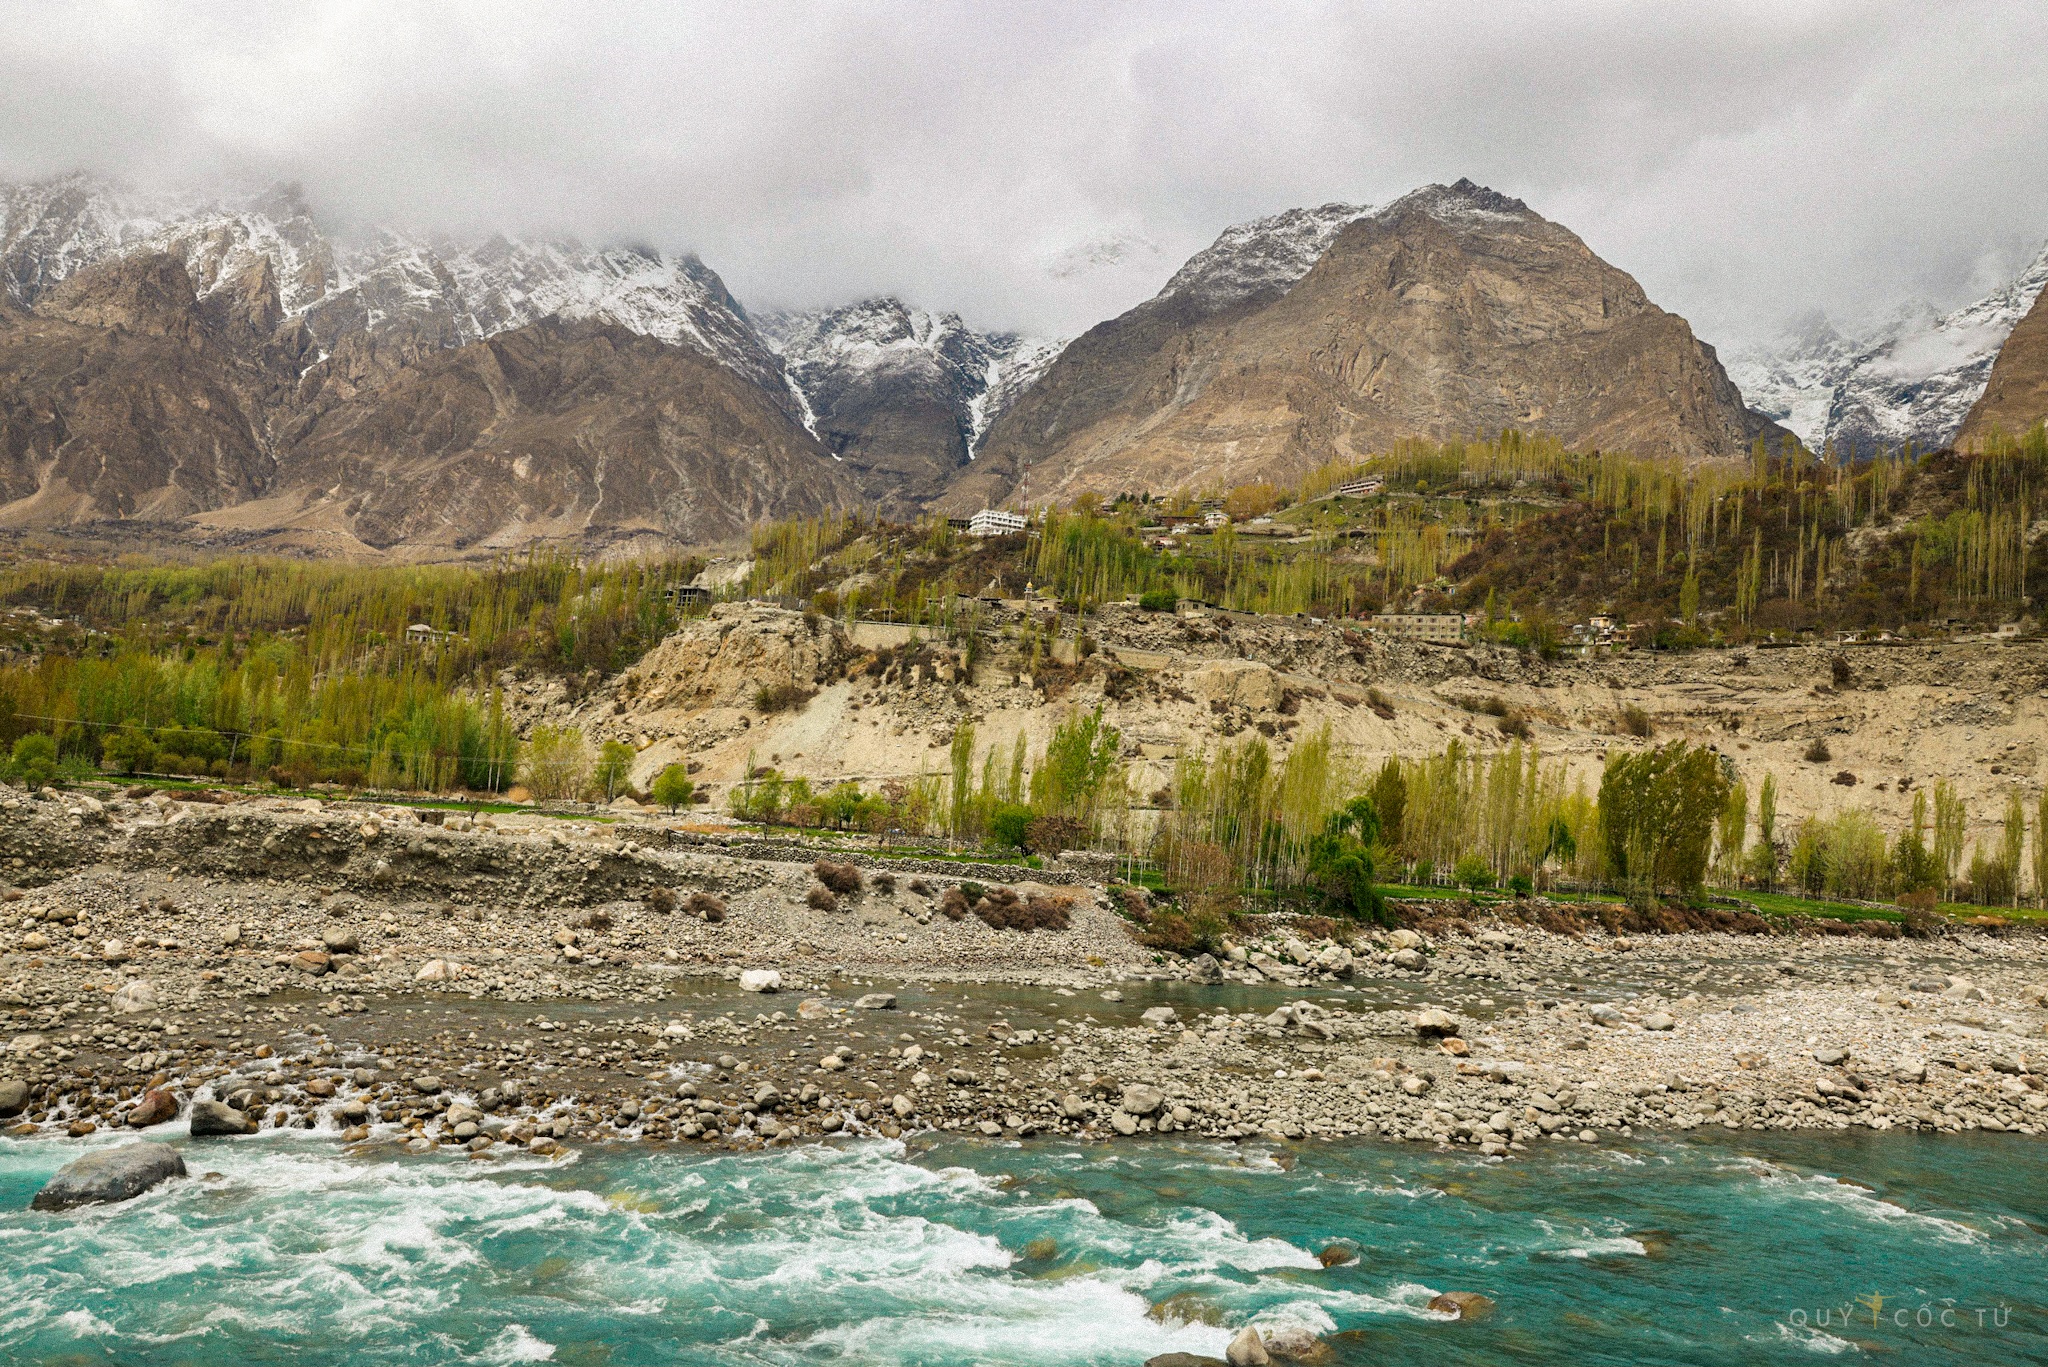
[1738, 1249]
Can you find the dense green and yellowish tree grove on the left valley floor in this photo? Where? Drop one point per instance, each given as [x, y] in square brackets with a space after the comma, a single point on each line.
[306, 673]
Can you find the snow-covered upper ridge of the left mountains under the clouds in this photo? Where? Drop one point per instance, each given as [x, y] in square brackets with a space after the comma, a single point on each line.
[452, 290]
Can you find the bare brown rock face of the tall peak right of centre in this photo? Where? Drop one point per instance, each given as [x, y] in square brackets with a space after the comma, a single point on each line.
[1449, 313]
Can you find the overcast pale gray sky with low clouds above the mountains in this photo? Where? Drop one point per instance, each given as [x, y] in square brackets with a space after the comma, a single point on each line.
[1048, 165]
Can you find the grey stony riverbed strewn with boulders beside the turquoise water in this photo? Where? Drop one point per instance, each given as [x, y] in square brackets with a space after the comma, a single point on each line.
[531, 985]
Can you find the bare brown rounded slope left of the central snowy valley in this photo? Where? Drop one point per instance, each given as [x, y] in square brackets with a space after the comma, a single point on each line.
[564, 431]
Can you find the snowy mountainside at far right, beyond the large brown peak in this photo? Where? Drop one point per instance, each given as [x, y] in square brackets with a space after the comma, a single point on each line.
[1910, 378]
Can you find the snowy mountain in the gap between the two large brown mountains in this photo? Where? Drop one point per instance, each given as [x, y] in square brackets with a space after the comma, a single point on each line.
[853, 354]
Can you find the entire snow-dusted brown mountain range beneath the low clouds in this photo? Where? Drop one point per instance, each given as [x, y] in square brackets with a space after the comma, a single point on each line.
[189, 397]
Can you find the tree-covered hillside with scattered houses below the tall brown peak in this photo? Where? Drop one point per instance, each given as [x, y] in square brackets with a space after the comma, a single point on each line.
[1519, 528]
